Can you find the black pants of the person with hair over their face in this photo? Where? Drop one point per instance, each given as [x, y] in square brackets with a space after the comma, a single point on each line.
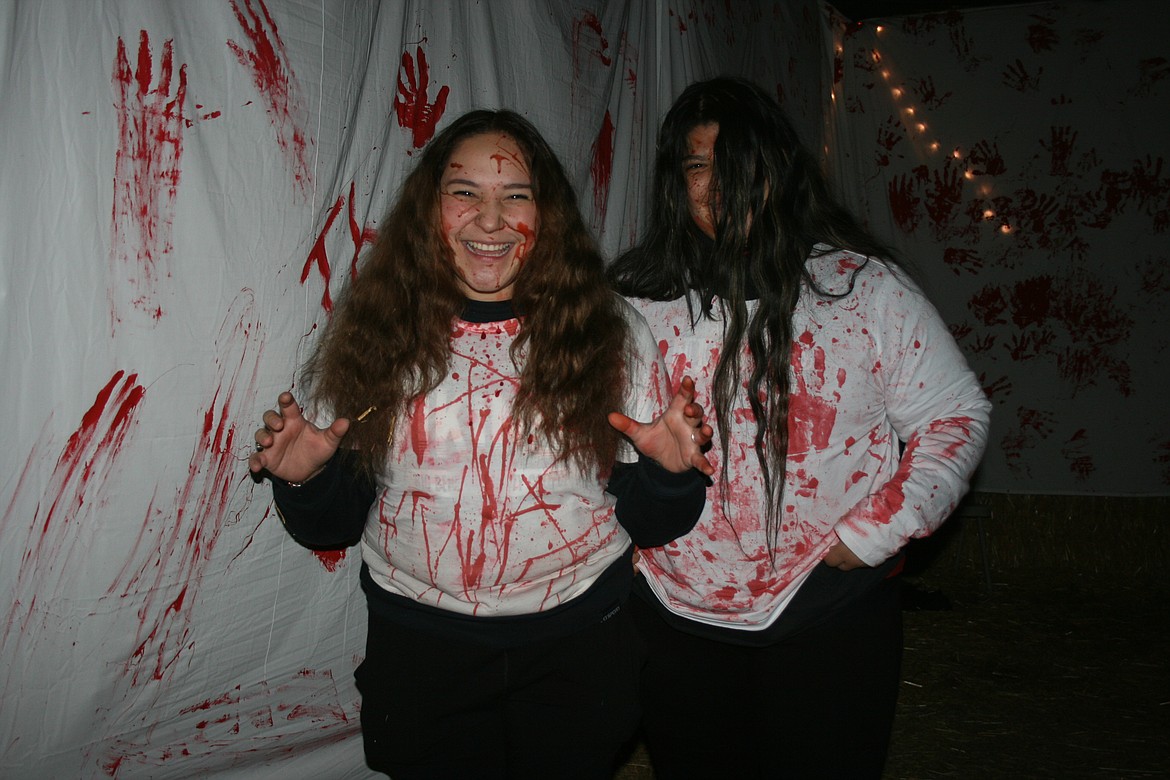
[818, 705]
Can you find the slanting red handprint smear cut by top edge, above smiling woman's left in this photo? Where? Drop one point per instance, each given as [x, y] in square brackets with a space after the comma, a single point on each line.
[273, 77]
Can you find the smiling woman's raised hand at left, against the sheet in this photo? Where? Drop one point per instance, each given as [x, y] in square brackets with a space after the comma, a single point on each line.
[292, 448]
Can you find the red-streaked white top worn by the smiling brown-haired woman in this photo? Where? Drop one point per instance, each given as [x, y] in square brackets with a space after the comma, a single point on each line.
[472, 516]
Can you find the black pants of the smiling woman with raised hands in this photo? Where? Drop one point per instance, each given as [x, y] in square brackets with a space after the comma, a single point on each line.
[433, 708]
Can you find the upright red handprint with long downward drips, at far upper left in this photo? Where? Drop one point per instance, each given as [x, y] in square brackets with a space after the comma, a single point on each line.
[147, 168]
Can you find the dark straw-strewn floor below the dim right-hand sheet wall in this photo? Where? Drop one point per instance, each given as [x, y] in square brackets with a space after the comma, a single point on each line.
[1044, 674]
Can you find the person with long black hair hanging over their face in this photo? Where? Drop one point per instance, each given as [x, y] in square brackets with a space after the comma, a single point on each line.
[846, 423]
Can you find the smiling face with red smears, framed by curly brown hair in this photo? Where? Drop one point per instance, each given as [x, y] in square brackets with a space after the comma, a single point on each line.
[490, 216]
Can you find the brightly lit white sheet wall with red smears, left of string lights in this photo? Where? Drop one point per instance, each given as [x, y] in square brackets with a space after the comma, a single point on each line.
[187, 185]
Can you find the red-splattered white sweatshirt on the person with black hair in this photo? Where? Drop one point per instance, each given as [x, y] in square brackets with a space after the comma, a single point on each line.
[870, 370]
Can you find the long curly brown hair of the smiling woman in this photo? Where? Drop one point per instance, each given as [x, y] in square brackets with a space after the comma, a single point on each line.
[389, 341]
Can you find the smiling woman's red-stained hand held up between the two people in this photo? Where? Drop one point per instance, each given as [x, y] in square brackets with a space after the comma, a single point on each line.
[677, 438]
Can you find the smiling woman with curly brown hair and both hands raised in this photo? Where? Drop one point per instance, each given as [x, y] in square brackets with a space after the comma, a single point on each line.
[463, 391]
